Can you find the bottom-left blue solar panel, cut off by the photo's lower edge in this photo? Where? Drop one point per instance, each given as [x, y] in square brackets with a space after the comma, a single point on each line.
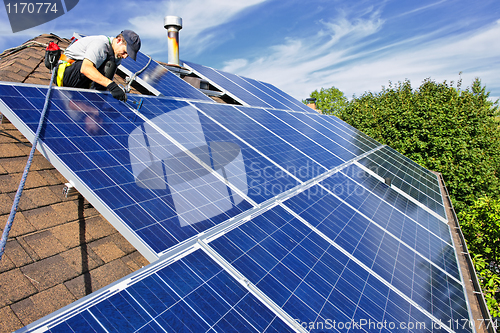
[192, 294]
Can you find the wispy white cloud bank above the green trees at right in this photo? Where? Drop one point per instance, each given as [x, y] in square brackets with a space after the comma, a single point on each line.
[301, 66]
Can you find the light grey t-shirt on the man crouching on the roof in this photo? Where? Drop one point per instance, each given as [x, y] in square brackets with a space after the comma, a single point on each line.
[93, 48]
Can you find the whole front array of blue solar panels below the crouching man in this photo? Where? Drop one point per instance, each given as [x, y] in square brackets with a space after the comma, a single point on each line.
[262, 220]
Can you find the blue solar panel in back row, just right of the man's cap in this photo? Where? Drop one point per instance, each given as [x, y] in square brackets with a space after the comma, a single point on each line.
[159, 80]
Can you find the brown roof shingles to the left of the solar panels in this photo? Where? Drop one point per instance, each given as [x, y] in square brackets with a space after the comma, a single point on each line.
[59, 249]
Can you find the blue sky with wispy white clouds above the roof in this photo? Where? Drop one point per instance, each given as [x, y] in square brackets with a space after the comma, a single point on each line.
[301, 46]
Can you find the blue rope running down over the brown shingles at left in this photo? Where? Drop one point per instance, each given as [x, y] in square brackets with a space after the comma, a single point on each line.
[8, 225]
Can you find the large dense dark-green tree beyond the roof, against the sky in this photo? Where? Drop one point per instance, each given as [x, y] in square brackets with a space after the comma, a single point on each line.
[442, 128]
